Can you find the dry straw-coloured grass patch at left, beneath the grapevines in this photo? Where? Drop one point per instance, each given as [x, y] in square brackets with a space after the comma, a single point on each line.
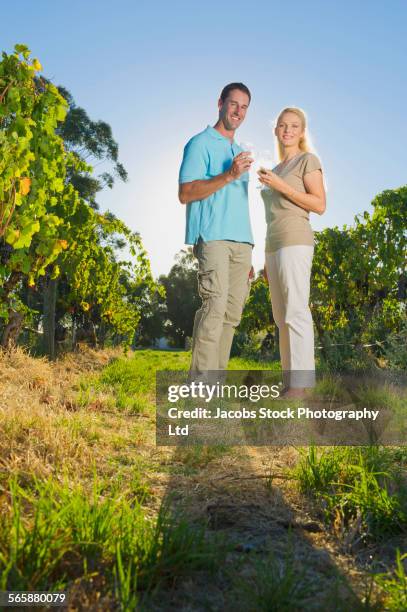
[43, 429]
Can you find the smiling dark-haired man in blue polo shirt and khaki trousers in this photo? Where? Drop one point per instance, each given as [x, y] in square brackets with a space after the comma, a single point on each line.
[214, 186]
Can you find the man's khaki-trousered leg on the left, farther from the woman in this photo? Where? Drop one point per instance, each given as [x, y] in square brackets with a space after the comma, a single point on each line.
[213, 273]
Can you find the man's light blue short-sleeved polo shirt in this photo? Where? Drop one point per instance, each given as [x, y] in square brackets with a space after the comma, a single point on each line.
[225, 214]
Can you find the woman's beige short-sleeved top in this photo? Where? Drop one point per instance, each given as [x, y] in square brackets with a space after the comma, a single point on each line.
[287, 223]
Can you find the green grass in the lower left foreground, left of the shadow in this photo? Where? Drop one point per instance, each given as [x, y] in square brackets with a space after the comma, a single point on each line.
[55, 533]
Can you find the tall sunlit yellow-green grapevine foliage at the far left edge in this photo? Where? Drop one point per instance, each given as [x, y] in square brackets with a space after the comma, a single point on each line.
[33, 167]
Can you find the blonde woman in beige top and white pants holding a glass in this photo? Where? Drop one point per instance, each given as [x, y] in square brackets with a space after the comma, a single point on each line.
[296, 188]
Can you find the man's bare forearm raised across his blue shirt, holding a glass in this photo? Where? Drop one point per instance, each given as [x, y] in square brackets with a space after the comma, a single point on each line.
[201, 189]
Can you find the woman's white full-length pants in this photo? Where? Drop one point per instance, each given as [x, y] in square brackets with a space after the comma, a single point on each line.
[289, 273]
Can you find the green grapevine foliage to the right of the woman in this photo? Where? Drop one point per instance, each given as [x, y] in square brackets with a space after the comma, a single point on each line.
[358, 286]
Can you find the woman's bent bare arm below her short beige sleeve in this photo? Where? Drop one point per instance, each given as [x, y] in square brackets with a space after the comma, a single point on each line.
[314, 200]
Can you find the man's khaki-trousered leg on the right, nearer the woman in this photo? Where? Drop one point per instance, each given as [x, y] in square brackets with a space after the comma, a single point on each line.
[239, 287]
